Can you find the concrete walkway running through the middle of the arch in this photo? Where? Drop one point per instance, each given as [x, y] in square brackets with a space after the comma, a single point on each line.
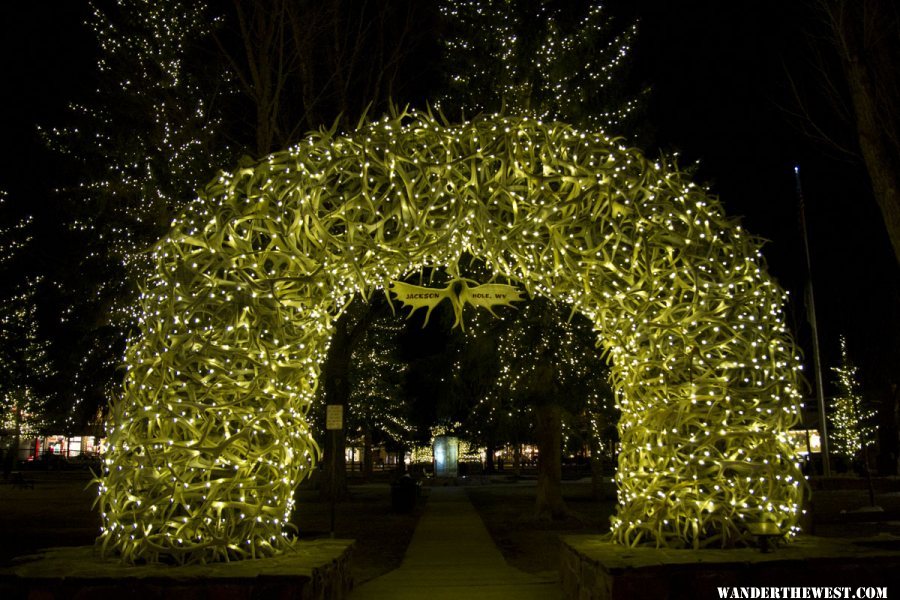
[451, 555]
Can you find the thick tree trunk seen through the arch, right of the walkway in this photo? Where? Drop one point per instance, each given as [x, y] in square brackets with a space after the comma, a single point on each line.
[548, 429]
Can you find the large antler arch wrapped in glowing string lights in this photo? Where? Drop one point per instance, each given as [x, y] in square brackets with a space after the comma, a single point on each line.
[210, 436]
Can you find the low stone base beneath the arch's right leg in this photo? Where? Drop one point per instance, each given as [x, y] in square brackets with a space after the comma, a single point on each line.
[594, 569]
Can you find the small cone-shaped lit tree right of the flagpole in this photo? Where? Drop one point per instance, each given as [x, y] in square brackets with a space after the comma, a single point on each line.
[852, 428]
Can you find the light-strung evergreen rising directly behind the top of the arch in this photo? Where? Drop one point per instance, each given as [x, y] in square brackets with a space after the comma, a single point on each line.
[547, 58]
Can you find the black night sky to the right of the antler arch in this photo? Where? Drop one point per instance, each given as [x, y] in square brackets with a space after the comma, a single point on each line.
[720, 75]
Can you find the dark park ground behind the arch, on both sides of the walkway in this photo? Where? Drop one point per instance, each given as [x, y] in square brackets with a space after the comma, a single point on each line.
[58, 512]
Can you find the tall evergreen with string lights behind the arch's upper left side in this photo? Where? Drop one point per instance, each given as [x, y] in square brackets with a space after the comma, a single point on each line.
[151, 136]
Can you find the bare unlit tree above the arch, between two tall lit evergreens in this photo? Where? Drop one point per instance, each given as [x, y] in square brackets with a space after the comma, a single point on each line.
[304, 64]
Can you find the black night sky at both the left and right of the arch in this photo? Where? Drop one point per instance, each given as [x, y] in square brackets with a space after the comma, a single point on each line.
[719, 96]
